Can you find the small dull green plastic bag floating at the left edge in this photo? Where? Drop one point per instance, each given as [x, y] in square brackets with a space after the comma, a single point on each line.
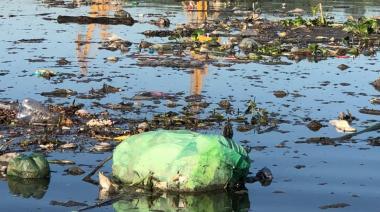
[33, 166]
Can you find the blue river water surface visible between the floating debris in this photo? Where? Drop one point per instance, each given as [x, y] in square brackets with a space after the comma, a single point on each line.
[346, 173]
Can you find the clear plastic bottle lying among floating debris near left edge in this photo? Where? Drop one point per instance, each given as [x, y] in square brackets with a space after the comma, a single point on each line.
[33, 112]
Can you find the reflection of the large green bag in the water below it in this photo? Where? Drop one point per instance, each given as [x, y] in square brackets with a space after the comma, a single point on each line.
[210, 202]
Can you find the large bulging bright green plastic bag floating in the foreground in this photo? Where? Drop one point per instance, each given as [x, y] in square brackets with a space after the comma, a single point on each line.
[180, 161]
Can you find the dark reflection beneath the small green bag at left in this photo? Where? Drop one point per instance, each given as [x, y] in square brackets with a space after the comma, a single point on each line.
[27, 188]
